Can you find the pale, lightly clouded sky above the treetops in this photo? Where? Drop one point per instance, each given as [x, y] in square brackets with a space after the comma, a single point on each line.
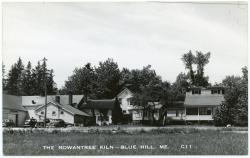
[134, 34]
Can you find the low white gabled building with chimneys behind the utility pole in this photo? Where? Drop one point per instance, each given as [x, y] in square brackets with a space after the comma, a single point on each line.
[34, 104]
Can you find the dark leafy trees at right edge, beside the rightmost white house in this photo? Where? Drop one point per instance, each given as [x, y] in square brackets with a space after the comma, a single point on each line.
[234, 110]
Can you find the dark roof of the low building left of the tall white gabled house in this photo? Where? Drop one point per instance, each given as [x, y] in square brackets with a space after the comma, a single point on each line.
[98, 104]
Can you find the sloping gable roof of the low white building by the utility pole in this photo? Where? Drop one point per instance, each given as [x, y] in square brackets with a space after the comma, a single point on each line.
[67, 108]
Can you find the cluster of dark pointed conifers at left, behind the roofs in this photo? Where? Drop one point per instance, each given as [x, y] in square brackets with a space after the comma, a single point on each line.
[24, 80]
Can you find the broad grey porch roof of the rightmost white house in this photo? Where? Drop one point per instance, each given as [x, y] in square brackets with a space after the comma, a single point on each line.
[196, 100]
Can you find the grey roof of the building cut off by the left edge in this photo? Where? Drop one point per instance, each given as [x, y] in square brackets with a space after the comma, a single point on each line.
[13, 102]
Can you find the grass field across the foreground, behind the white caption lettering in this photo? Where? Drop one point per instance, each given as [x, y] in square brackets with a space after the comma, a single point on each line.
[195, 143]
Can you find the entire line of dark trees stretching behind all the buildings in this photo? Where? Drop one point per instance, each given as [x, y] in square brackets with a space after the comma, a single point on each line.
[106, 80]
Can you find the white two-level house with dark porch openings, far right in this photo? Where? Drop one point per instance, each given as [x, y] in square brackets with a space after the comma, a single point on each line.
[200, 103]
